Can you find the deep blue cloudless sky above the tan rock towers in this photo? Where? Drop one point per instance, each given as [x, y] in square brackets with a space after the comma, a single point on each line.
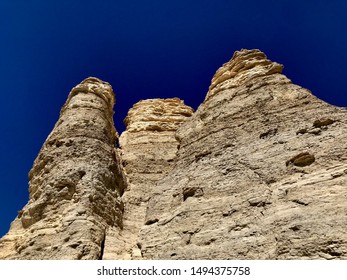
[146, 49]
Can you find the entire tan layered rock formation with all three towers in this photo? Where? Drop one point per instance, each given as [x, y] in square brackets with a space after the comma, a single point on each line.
[259, 171]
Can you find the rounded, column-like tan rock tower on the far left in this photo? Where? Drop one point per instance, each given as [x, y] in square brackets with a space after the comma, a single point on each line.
[75, 183]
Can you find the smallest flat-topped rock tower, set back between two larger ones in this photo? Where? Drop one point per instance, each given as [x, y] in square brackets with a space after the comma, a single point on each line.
[148, 150]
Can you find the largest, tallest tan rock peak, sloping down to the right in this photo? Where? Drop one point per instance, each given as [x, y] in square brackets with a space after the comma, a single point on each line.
[261, 173]
